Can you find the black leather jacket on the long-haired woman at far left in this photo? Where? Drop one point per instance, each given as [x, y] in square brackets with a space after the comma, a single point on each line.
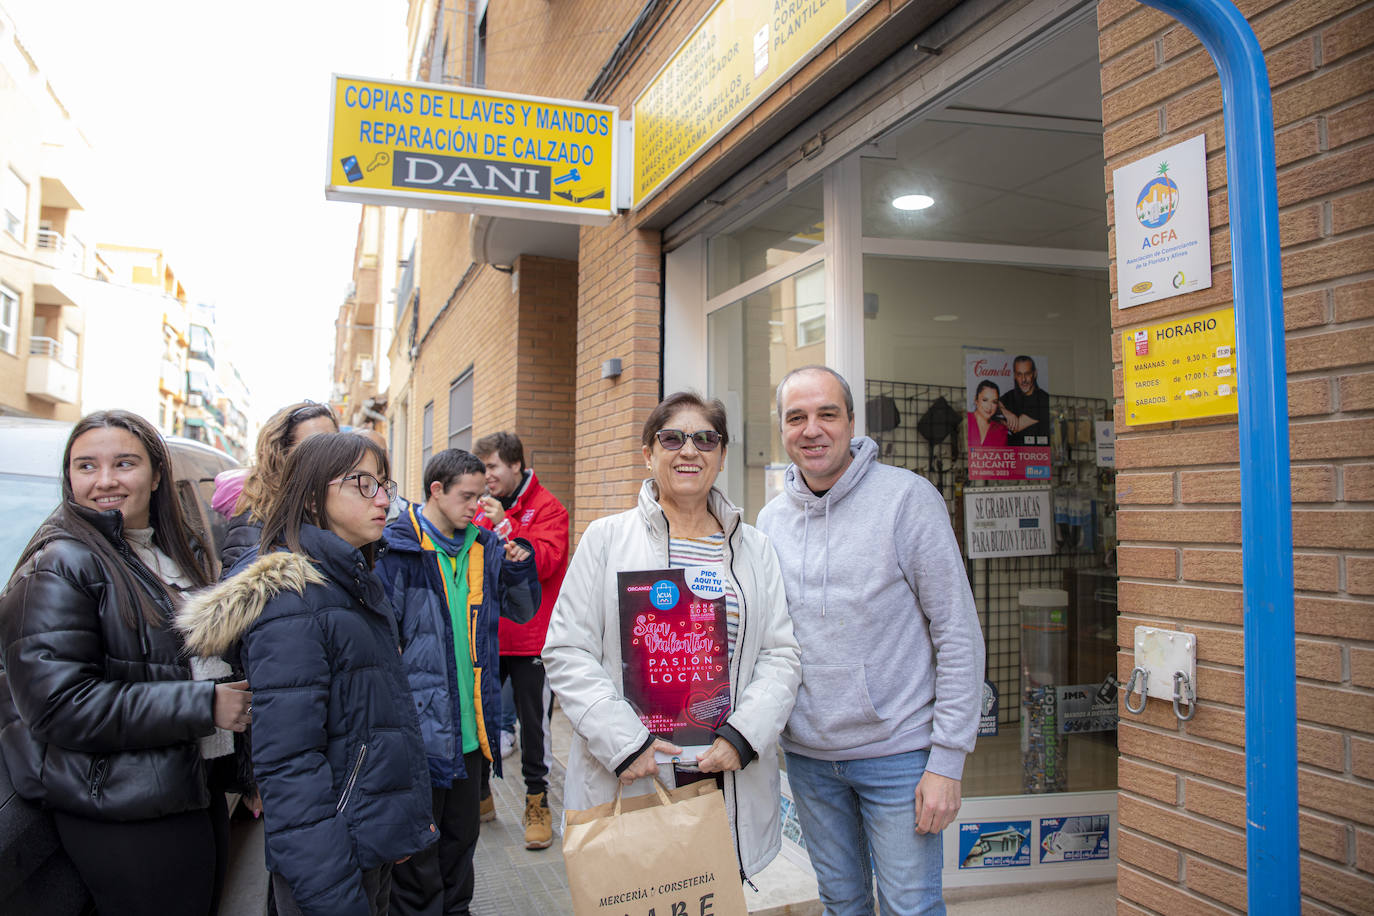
[108, 716]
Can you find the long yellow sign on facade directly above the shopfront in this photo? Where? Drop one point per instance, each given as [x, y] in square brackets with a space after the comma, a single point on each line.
[725, 68]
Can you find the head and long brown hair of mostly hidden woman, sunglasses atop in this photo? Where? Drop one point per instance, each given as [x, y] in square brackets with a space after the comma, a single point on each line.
[244, 495]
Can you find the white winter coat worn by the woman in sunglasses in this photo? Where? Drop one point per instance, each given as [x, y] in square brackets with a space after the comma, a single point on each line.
[582, 657]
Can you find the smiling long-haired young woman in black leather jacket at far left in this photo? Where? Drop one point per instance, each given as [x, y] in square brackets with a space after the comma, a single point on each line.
[109, 724]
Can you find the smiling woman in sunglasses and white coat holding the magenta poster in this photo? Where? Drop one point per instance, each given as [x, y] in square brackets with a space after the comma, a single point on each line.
[681, 521]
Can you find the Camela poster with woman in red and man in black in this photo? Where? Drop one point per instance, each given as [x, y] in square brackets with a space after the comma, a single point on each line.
[1009, 417]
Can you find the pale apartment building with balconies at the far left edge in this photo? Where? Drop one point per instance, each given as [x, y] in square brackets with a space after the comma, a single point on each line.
[46, 263]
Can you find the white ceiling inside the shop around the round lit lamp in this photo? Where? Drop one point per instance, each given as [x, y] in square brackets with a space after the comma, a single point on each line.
[1015, 160]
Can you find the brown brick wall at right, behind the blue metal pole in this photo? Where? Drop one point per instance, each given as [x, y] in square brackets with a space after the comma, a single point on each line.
[1182, 801]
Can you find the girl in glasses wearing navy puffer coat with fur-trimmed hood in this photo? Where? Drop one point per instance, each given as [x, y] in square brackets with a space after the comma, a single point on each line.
[337, 751]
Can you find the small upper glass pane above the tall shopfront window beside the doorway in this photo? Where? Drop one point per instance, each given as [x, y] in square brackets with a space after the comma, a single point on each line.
[765, 241]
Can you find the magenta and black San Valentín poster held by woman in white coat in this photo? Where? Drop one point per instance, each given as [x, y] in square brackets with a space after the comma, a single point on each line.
[673, 637]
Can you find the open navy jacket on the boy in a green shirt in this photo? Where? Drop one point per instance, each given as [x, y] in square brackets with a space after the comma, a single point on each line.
[497, 588]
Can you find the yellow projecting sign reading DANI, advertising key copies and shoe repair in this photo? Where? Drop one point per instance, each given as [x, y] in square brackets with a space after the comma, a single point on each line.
[471, 150]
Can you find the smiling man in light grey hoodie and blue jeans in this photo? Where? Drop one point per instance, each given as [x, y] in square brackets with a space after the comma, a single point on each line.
[892, 656]
